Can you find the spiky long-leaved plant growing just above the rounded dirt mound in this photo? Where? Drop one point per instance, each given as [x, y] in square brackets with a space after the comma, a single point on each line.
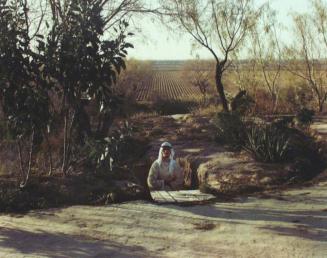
[267, 142]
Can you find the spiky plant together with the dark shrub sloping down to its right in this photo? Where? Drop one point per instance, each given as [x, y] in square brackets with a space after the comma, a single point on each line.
[279, 142]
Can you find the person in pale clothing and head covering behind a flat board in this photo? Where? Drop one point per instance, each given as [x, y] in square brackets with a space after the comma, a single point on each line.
[165, 173]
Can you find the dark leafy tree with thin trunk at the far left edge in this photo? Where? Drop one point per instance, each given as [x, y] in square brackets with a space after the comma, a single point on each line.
[22, 94]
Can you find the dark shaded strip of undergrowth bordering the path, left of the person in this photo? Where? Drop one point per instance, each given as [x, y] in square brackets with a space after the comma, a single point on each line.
[45, 192]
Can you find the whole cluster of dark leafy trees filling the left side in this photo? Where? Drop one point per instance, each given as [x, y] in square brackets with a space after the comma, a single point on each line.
[55, 76]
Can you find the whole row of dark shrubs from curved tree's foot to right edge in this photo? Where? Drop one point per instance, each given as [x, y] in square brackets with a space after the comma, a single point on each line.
[275, 142]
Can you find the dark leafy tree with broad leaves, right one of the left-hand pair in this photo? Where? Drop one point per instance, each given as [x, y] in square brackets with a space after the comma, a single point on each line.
[85, 66]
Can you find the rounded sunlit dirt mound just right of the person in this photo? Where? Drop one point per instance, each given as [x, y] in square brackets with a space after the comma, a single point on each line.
[232, 174]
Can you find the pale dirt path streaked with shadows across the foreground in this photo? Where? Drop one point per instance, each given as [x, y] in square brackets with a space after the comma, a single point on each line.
[292, 223]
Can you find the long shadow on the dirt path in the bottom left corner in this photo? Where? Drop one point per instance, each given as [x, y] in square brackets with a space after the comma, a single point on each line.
[43, 243]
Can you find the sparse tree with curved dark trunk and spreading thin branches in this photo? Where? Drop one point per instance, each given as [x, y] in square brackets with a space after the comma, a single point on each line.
[220, 26]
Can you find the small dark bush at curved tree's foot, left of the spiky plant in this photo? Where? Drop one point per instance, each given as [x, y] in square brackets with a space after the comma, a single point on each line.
[231, 129]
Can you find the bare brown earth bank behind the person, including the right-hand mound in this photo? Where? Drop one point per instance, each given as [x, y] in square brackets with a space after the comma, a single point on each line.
[216, 168]
